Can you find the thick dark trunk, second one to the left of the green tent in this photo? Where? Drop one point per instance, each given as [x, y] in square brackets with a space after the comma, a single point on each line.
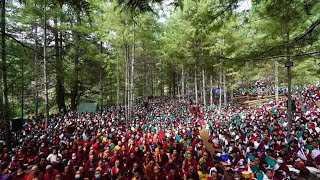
[59, 69]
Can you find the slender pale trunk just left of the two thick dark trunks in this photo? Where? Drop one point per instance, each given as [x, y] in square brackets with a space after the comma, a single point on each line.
[45, 64]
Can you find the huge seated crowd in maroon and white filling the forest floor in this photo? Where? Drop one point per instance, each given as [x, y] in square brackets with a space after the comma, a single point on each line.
[163, 142]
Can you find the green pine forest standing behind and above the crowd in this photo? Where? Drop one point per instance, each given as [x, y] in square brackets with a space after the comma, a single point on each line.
[119, 52]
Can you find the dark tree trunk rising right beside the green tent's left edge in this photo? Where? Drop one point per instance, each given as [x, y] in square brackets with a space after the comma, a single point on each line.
[75, 85]
